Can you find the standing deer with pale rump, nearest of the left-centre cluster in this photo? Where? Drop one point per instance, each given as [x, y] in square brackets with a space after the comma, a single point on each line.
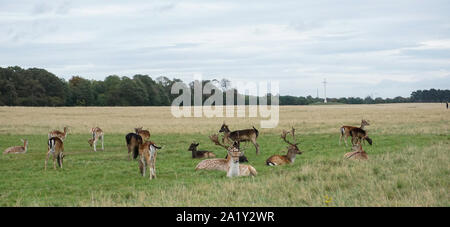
[147, 154]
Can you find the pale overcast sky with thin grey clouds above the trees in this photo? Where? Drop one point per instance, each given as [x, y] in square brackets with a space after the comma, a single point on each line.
[379, 48]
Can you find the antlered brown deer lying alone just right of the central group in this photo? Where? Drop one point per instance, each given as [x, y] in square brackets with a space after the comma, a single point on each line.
[289, 158]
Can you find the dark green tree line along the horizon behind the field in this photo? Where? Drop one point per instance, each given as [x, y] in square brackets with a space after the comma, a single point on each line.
[38, 87]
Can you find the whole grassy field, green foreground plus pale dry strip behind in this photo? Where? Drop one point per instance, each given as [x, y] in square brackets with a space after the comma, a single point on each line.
[408, 163]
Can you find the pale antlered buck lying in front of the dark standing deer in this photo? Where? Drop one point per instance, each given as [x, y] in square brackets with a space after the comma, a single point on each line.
[231, 164]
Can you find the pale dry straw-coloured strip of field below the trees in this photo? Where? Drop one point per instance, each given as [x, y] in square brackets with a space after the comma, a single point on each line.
[414, 118]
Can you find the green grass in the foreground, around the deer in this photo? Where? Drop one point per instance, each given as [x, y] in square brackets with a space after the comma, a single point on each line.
[403, 170]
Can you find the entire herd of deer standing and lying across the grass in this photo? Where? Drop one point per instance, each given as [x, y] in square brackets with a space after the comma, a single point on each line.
[145, 151]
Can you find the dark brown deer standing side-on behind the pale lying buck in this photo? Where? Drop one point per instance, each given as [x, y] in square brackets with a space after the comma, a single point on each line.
[240, 135]
